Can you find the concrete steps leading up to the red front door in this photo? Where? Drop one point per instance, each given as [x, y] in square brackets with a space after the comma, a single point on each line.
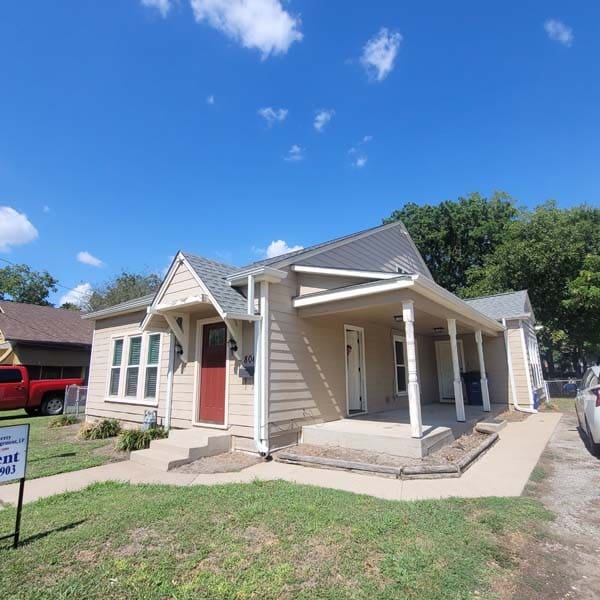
[183, 446]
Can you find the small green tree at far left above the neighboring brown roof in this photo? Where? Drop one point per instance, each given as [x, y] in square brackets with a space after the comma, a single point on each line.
[20, 284]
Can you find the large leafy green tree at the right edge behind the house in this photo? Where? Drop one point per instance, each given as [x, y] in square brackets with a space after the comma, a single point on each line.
[544, 251]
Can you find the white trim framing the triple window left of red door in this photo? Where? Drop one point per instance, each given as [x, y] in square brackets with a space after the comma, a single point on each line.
[138, 399]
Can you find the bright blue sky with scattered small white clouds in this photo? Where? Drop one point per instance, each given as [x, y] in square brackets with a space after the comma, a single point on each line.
[131, 129]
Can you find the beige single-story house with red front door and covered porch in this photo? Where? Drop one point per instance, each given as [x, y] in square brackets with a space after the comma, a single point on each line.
[352, 326]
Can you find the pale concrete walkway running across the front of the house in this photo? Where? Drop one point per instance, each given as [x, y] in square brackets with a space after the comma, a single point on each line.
[502, 471]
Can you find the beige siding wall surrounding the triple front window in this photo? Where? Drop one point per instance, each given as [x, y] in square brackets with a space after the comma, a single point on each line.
[97, 404]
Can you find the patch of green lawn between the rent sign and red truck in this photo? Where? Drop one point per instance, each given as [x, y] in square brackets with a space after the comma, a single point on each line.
[56, 449]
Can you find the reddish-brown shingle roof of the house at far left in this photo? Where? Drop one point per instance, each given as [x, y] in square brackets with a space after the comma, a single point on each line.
[43, 324]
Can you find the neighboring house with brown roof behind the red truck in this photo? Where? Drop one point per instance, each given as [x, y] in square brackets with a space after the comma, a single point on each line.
[51, 342]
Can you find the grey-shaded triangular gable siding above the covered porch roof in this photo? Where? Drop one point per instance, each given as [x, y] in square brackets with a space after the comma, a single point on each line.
[382, 251]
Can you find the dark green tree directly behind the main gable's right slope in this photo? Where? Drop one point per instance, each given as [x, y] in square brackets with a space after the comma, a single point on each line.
[454, 236]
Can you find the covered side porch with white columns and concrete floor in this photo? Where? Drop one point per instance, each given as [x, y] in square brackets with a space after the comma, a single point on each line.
[405, 360]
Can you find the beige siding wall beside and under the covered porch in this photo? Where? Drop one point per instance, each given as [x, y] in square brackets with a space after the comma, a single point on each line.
[307, 365]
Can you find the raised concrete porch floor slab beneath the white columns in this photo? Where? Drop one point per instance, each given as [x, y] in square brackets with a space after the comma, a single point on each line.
[389, 431]
